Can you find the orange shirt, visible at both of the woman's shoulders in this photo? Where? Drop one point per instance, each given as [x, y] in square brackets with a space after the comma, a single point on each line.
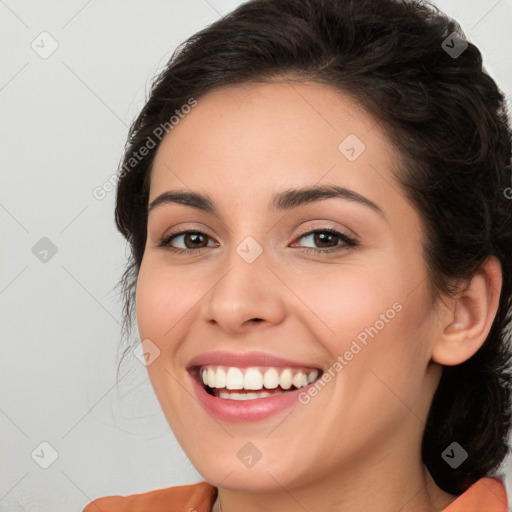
[486, 495]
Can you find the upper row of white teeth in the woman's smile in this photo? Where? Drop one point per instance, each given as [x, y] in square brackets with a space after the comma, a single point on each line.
[254, 378]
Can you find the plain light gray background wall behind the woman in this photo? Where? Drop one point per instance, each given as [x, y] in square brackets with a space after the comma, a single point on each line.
[64, 121]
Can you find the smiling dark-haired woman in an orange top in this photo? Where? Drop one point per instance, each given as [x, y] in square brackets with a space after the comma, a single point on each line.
[322, 259]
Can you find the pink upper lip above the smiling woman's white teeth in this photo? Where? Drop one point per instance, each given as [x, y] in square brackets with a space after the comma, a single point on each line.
[246, 359]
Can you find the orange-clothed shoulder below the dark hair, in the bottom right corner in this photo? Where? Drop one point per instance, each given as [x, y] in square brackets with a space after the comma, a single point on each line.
[485, 495]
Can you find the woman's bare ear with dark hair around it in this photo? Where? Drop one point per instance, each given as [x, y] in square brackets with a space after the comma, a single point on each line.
[466, 321]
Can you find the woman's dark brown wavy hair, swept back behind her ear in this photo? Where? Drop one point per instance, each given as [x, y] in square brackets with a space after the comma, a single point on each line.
[447, 120]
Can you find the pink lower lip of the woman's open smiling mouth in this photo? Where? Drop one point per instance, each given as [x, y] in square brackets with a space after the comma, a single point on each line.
[245, 410]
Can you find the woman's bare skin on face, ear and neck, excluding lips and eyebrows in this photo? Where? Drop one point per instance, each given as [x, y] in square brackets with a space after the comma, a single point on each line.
[355, 446]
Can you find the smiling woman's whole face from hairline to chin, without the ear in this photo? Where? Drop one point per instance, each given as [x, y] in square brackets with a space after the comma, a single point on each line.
[259, 286]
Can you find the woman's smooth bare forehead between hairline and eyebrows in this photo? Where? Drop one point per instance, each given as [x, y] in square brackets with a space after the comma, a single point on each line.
[255, 139]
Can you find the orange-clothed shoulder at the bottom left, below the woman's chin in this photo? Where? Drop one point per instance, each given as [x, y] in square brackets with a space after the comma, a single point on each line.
[183, 498]
